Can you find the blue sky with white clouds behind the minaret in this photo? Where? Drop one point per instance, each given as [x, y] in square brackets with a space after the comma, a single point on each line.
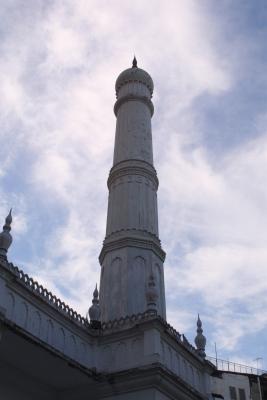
[58, 64]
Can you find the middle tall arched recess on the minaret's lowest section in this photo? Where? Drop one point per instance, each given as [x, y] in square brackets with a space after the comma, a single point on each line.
[137, 282]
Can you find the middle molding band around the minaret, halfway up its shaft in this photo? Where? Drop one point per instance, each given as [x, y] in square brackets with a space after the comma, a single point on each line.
[133, 167]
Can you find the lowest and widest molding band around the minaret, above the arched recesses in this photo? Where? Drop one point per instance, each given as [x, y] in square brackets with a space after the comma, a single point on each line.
[117, 241]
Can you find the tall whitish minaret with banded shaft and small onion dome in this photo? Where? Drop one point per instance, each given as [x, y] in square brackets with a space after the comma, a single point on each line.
[132, 252]
